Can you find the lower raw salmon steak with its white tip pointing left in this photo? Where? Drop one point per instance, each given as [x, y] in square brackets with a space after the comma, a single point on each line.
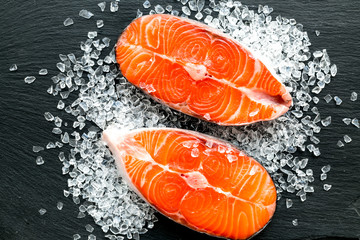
[196, 180]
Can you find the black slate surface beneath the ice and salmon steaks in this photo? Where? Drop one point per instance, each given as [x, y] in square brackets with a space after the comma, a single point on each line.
[32, 36]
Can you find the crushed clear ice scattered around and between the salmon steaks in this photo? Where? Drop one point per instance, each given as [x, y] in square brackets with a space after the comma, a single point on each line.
[104, 97]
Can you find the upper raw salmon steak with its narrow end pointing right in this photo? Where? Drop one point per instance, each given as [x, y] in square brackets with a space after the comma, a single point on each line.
[199, 71]
